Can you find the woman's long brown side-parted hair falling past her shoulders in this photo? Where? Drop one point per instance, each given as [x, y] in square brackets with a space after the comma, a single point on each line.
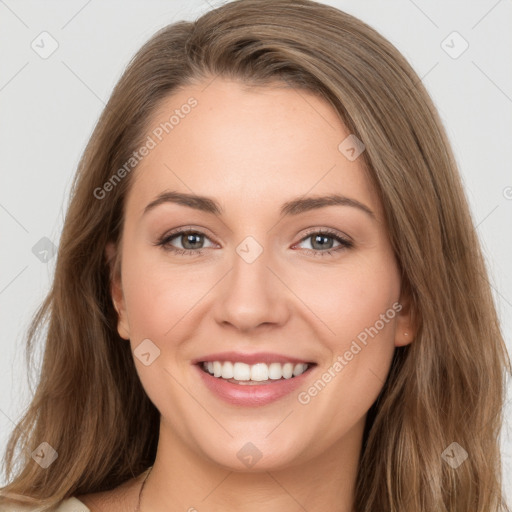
[446, 386]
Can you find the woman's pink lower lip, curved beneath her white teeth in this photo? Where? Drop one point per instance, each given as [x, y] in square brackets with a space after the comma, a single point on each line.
[252, 395]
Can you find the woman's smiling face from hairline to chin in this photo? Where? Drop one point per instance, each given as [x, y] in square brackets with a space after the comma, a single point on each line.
[269, 273]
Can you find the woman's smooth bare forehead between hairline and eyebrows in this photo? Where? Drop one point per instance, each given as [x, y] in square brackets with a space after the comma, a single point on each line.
[247, 146]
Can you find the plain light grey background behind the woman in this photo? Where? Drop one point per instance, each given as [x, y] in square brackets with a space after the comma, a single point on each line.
[48, 108]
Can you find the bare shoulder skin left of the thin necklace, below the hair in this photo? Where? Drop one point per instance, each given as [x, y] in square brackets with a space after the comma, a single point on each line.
[120, 499]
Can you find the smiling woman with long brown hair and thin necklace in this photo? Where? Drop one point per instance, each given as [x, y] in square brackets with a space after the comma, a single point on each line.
[269, 292]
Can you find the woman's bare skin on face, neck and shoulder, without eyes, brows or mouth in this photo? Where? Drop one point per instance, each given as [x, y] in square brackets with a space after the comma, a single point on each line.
[253, 149]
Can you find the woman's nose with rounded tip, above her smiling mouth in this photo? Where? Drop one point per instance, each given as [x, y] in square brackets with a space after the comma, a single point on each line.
[252, 295]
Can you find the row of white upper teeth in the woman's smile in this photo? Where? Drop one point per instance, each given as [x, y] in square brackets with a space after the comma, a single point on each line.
[257, 372]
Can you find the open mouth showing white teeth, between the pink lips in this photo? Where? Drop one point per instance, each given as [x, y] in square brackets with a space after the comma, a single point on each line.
[237, 372]
